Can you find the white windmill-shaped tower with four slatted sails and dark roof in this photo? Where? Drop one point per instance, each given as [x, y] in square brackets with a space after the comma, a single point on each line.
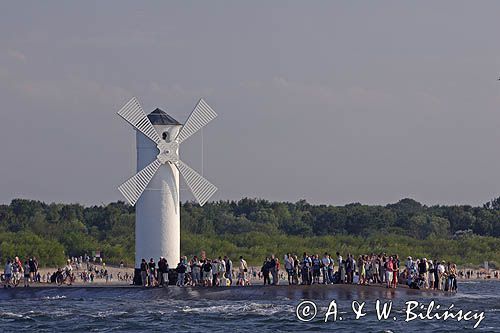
[154, 190]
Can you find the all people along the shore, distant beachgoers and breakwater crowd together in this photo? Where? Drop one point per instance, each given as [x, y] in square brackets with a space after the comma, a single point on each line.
[308, 269]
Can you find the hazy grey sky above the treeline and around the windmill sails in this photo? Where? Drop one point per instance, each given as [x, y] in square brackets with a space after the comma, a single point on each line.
[332, 102]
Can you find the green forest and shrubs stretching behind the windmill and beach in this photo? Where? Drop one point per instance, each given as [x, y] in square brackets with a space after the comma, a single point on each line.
[255, 228]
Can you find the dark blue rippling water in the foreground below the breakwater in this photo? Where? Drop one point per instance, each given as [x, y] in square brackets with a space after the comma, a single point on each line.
[257, 309]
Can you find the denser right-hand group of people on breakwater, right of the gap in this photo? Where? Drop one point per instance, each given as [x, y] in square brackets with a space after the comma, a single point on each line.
[364, 270]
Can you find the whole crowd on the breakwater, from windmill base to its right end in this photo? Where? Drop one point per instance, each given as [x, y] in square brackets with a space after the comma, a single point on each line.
[382, 269]
